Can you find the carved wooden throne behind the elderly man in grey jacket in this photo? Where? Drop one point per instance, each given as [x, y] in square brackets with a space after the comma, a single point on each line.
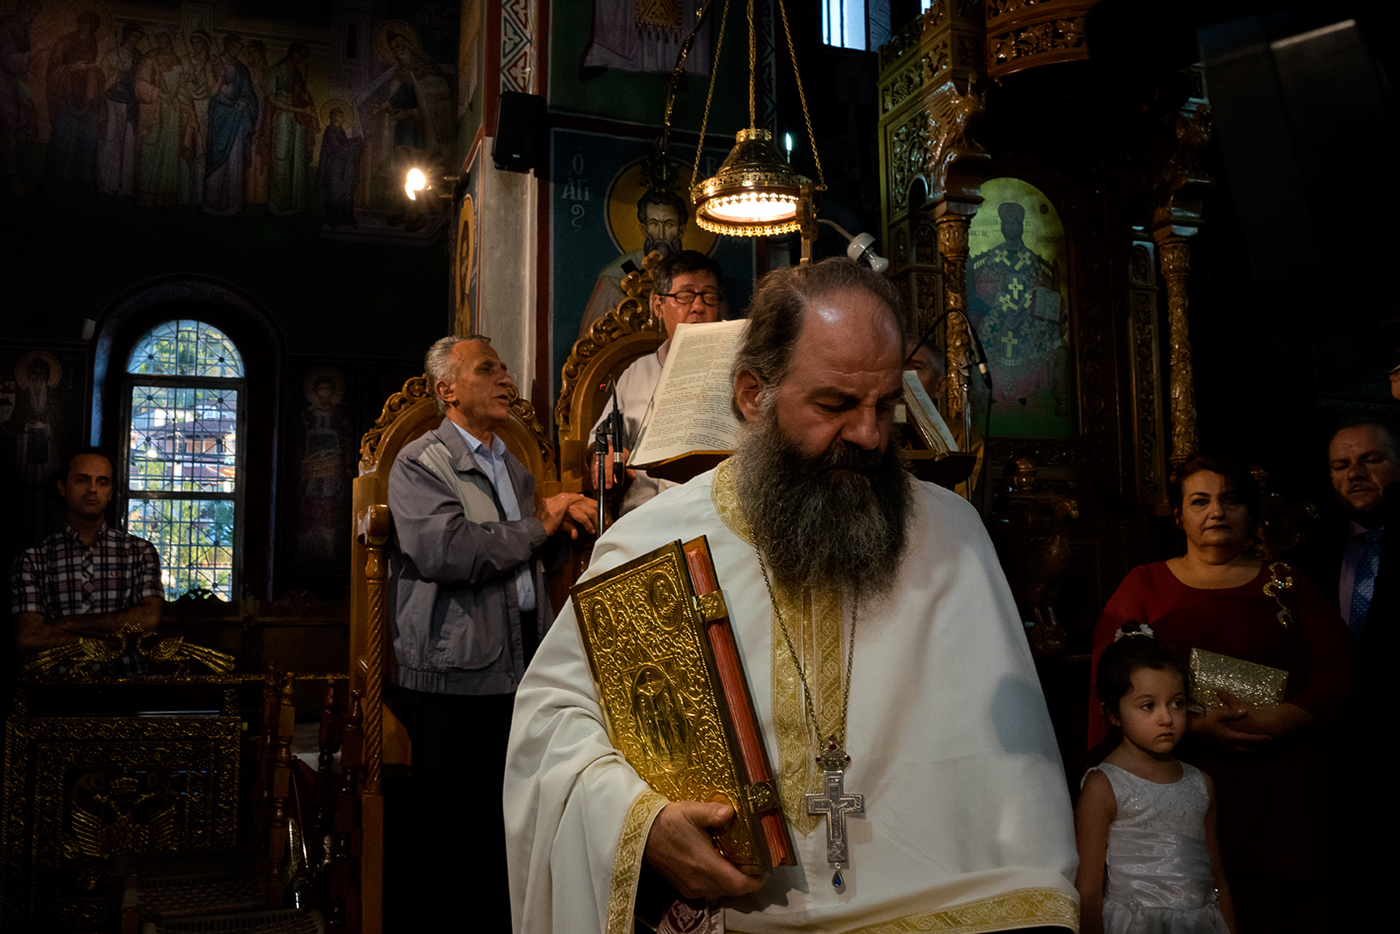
[407, 415]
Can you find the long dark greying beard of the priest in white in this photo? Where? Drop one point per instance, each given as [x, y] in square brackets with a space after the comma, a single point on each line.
[839, 517]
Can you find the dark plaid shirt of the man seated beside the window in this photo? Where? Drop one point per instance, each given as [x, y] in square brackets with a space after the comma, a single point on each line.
[64, 578]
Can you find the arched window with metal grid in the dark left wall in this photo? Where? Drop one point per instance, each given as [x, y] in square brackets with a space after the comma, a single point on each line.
[184, 457]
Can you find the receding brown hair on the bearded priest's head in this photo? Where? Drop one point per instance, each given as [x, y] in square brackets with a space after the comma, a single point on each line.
[778, 312]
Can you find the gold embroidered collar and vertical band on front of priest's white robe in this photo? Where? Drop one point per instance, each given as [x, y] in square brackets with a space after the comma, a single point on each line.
[817, 635]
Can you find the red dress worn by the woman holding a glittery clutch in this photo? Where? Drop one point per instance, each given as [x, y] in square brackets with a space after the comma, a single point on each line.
[1276, 807]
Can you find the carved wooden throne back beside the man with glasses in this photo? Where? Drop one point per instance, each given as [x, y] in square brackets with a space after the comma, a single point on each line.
[621, 337]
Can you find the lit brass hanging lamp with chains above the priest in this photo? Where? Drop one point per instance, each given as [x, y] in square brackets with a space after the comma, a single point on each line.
[757, 193]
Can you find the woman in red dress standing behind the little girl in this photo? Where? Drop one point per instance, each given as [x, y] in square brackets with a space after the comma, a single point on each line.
[1272, 764]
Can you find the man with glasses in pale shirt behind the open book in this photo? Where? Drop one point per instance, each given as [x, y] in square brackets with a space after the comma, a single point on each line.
[685, 291]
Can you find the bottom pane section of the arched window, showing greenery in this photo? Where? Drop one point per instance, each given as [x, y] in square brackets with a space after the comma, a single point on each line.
[195, 540]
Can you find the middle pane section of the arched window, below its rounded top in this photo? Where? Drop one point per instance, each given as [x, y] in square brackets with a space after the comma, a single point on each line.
[184, 439]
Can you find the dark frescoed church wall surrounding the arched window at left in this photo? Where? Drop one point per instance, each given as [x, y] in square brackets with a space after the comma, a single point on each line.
[349, 291]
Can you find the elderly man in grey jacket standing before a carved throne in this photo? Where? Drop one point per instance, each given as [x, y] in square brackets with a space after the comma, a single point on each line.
[470, 607]
